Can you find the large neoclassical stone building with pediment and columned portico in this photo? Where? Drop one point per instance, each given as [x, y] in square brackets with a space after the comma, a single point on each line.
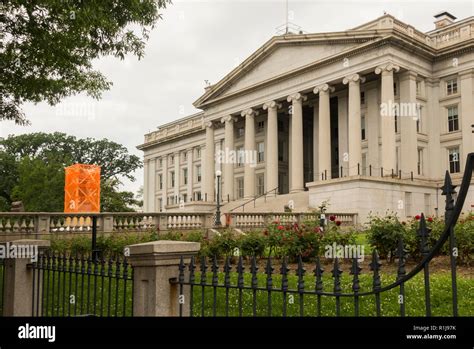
[368, 119]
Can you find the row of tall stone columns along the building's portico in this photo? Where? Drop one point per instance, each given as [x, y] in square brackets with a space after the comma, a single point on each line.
[321, 136]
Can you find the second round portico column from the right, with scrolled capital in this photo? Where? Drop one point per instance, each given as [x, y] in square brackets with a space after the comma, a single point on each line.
[354, 126]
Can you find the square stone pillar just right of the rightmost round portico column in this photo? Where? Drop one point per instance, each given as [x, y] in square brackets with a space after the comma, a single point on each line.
[408, 113]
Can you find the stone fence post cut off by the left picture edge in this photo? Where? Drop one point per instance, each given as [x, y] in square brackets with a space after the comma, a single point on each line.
[18, 281]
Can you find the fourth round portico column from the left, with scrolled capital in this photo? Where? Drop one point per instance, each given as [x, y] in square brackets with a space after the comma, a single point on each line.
[271, 157]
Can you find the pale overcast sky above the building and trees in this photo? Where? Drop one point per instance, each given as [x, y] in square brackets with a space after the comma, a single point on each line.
[198, 41]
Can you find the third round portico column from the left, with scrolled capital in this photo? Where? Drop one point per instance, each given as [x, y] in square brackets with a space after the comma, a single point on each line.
[249, 148]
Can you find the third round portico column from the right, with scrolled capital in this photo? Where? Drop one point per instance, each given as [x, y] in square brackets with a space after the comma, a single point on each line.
[324, 128]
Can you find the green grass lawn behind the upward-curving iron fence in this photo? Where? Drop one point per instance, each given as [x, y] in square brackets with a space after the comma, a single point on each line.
[441, 301]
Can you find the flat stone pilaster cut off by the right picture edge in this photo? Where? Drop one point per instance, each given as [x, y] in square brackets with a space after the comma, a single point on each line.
[467, 114]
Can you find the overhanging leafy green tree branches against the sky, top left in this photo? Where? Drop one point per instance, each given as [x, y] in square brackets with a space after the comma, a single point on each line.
[48, 46]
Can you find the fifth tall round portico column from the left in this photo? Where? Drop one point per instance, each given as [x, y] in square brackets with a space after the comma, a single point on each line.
[297, 175]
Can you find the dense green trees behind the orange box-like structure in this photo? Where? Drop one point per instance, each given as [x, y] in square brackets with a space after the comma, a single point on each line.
[32, 170]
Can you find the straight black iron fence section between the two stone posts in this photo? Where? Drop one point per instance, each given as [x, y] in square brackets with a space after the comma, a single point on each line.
[66, 285]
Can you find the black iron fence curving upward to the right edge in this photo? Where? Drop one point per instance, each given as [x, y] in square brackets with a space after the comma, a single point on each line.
[224, 291]
